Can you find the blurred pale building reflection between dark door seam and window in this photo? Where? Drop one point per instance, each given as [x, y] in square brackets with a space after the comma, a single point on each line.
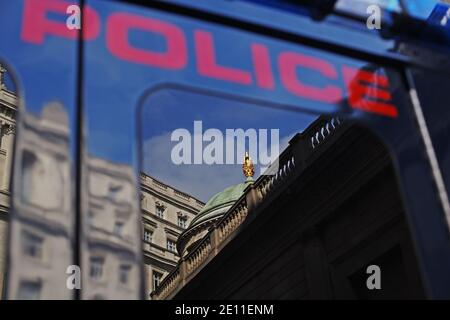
[110, 260]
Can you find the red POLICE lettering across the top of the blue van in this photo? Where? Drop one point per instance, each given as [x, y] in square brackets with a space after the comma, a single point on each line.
[364, 90]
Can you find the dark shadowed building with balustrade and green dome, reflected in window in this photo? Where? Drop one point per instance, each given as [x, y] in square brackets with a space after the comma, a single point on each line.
[308, 231]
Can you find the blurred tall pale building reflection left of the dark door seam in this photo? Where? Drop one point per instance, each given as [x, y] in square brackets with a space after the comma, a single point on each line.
[41, 228]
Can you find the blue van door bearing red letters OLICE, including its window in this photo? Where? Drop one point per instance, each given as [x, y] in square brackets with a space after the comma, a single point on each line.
[242, 150]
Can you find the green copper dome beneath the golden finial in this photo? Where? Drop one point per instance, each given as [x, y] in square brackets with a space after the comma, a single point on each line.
[220, 203]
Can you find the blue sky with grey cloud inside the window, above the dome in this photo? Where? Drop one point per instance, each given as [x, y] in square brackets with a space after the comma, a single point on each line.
[168, 110]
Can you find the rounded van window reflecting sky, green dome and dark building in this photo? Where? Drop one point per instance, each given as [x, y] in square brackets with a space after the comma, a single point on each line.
[206, 156]
